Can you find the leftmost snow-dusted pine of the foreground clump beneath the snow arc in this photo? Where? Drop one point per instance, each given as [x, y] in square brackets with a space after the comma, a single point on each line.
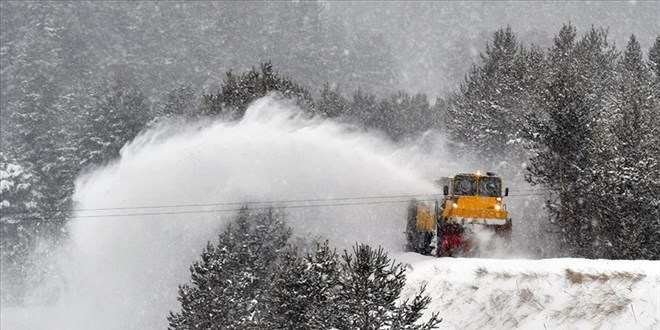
[229, 283]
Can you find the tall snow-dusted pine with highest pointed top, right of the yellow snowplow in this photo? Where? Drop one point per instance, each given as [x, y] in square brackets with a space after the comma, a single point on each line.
[561, 131]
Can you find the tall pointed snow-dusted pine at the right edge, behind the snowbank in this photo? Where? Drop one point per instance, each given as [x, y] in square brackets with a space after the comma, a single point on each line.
[632, 181]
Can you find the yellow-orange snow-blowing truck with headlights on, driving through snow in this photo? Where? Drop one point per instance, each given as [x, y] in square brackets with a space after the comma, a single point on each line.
[446, 228]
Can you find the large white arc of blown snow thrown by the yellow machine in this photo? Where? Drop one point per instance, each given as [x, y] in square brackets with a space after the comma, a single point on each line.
[124, 268]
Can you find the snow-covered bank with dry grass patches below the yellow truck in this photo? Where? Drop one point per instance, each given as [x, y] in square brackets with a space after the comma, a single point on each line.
[538, 294]
